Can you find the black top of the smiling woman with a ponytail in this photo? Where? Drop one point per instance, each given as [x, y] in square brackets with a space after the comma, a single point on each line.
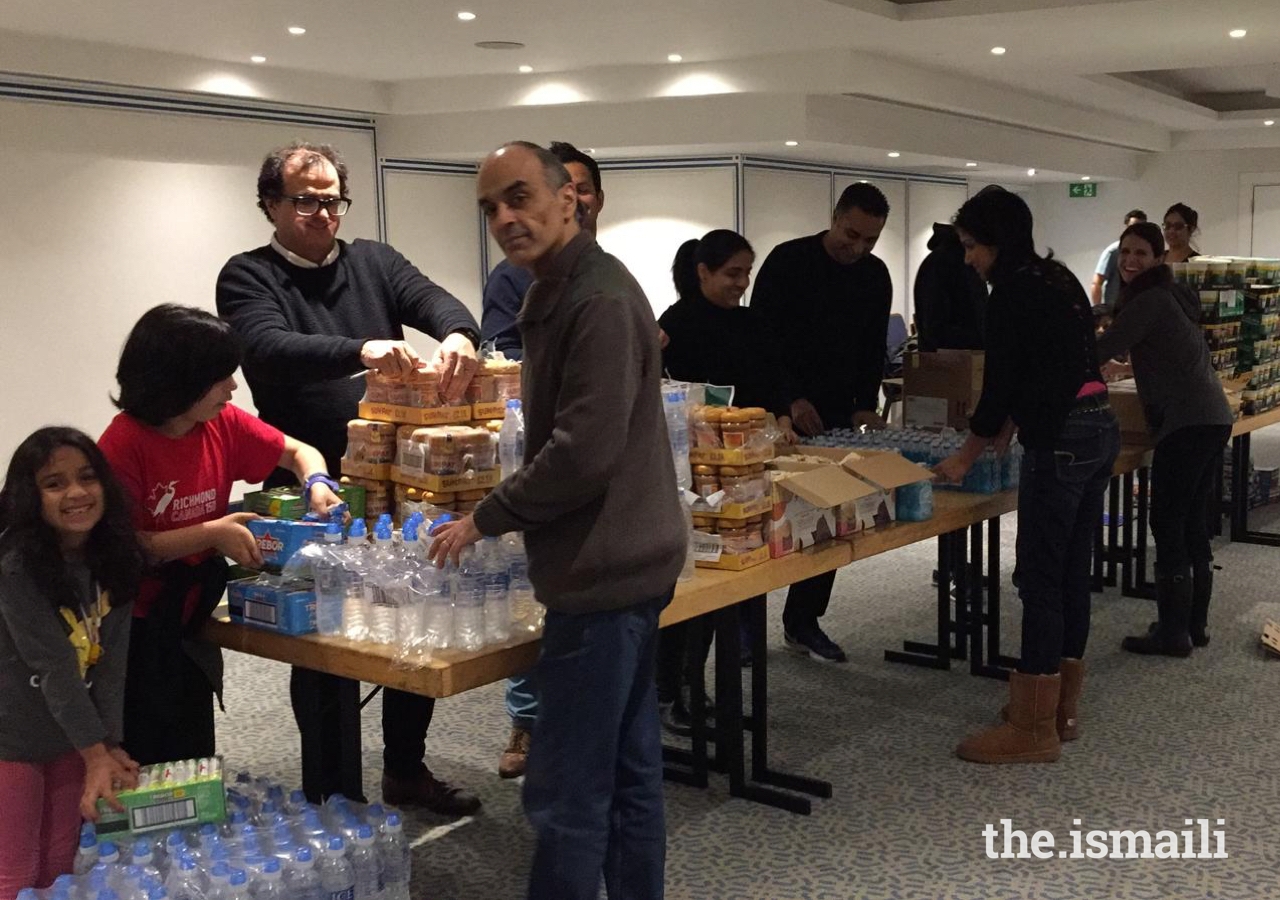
[717, 346]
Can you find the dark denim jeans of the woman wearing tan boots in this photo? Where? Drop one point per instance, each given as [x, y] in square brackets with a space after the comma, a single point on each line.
[1059, 510]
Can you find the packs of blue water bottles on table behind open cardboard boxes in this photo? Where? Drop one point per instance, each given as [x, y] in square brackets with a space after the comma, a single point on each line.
[990, 474]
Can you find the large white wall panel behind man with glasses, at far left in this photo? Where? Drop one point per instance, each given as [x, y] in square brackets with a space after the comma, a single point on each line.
[116, 211]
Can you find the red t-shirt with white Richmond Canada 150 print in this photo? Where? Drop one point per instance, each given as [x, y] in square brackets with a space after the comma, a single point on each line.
[179, 482]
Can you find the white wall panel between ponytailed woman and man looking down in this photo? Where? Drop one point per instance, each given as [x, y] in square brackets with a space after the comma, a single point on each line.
[781, 204]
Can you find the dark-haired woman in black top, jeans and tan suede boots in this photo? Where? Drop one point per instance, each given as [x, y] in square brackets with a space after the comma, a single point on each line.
[1043, 380]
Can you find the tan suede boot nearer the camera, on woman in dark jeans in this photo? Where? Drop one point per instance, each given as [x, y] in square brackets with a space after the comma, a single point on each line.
[1031, 733]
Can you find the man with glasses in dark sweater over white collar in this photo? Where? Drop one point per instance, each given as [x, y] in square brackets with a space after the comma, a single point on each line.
[314, 313]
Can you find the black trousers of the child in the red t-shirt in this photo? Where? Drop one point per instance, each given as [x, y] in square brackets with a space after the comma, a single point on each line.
[168, 701]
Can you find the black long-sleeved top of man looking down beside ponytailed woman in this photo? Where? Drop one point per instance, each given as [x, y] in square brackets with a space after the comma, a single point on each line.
[830, 321]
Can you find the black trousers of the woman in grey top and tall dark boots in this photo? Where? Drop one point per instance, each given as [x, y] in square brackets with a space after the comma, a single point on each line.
[1185, 476]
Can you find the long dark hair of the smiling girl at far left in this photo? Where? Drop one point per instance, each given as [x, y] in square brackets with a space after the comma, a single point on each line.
[112, 552]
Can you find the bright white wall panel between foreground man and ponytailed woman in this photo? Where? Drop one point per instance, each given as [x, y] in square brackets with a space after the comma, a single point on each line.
[652, 208]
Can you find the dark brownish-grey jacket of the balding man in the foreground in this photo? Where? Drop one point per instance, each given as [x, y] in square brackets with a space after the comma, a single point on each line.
[597, 496]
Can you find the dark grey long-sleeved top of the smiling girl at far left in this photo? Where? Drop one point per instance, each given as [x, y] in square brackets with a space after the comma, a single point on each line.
[45, 707]
